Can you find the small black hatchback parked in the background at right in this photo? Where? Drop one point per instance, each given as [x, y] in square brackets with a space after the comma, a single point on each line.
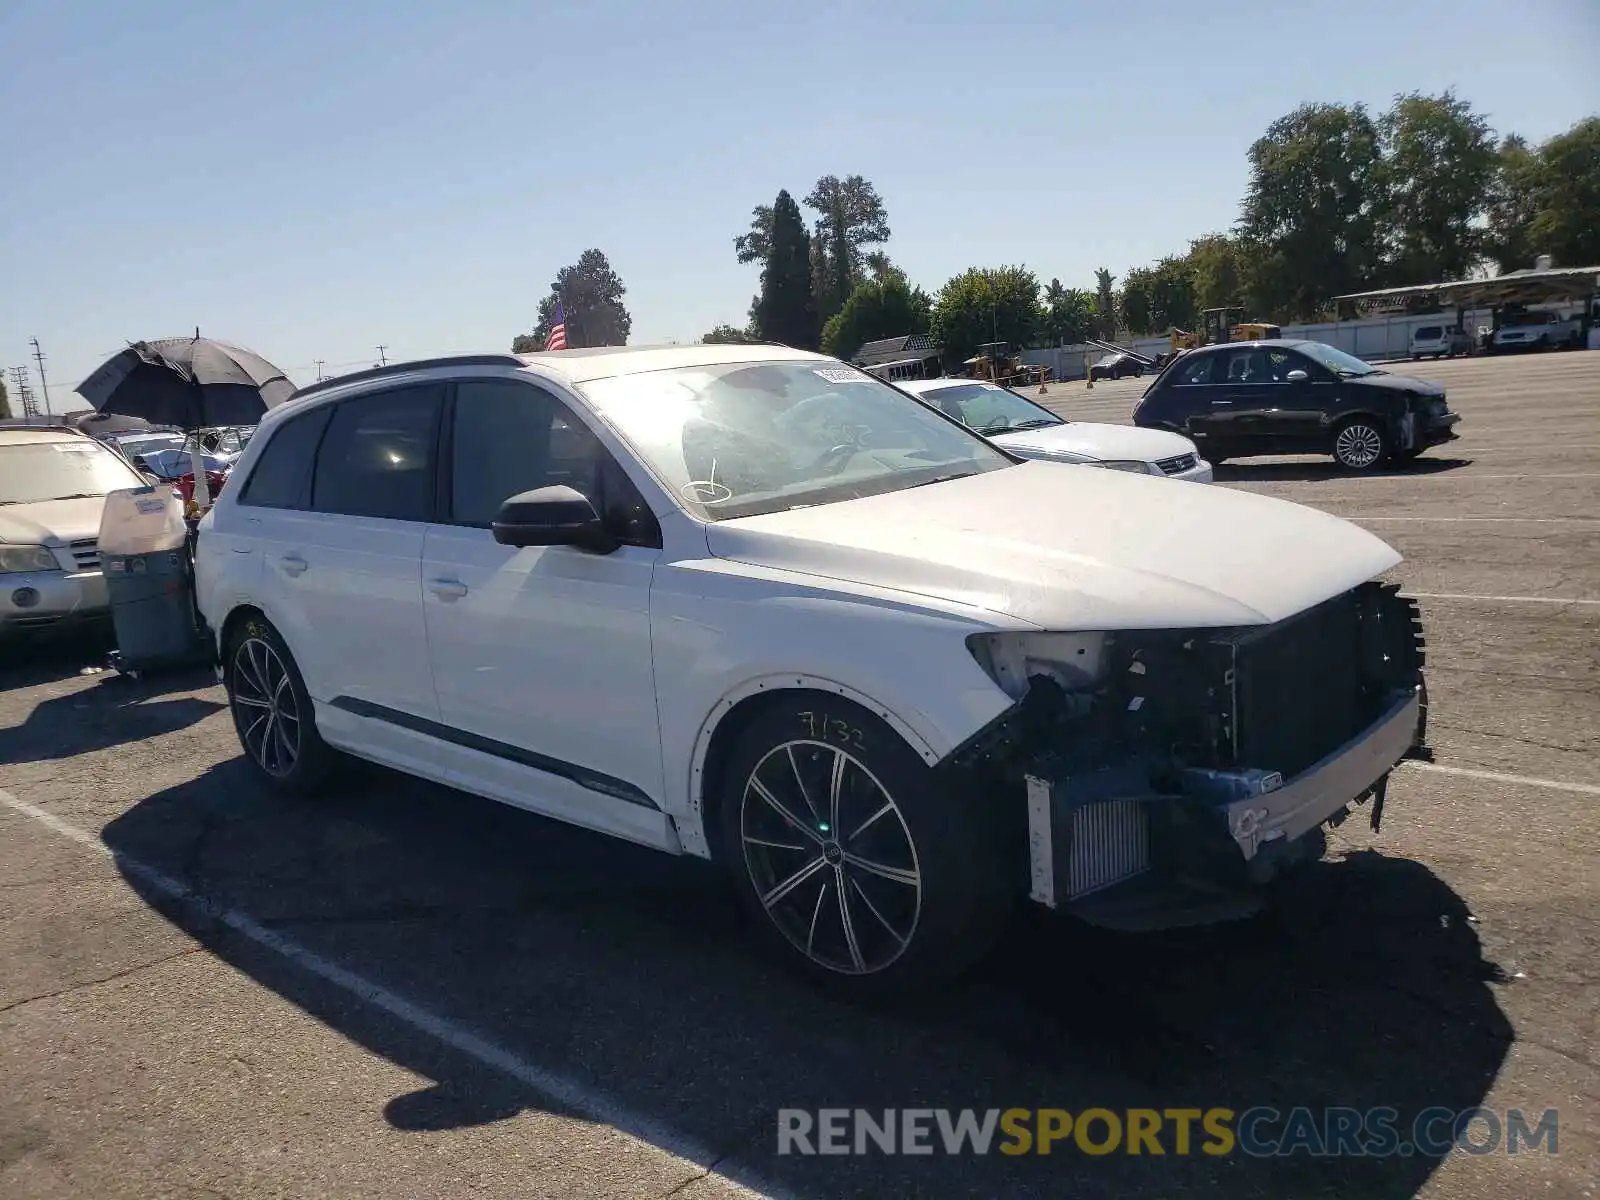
[1295, 398]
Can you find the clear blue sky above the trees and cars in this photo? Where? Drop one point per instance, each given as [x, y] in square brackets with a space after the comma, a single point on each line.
[316, 178]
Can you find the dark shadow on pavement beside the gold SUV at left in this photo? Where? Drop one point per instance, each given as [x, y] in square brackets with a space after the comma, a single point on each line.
[116, 711]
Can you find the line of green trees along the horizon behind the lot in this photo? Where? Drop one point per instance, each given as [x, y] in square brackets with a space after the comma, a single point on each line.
[1338, 201]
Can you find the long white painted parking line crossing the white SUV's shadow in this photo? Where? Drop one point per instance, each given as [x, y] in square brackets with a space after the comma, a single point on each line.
[566, 1092]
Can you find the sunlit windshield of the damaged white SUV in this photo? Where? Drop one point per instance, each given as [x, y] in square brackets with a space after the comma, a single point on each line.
[743, 439]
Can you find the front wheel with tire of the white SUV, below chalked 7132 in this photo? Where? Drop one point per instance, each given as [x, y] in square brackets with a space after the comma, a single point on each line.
[863, 868]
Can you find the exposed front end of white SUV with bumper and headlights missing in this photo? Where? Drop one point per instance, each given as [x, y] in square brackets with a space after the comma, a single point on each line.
[1166, 775]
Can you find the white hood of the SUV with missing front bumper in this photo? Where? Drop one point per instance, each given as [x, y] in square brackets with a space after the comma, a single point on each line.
[1063, 550]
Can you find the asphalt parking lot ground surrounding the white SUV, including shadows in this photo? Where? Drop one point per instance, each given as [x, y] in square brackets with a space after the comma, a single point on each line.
[401, 991]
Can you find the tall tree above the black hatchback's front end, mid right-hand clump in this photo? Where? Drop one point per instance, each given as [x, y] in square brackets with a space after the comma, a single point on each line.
[1439, 166]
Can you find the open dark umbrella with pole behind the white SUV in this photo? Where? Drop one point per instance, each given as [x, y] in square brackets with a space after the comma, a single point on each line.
[193, 383]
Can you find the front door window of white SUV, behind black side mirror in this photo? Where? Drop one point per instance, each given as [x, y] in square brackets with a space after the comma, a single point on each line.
[513, 438]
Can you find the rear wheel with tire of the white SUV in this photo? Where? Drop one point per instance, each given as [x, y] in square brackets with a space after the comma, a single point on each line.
[273, 711]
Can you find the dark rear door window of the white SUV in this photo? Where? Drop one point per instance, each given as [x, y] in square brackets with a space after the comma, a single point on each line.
[377, 458]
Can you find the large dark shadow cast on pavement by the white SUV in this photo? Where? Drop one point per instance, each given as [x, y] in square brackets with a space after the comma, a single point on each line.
[631, 974]
